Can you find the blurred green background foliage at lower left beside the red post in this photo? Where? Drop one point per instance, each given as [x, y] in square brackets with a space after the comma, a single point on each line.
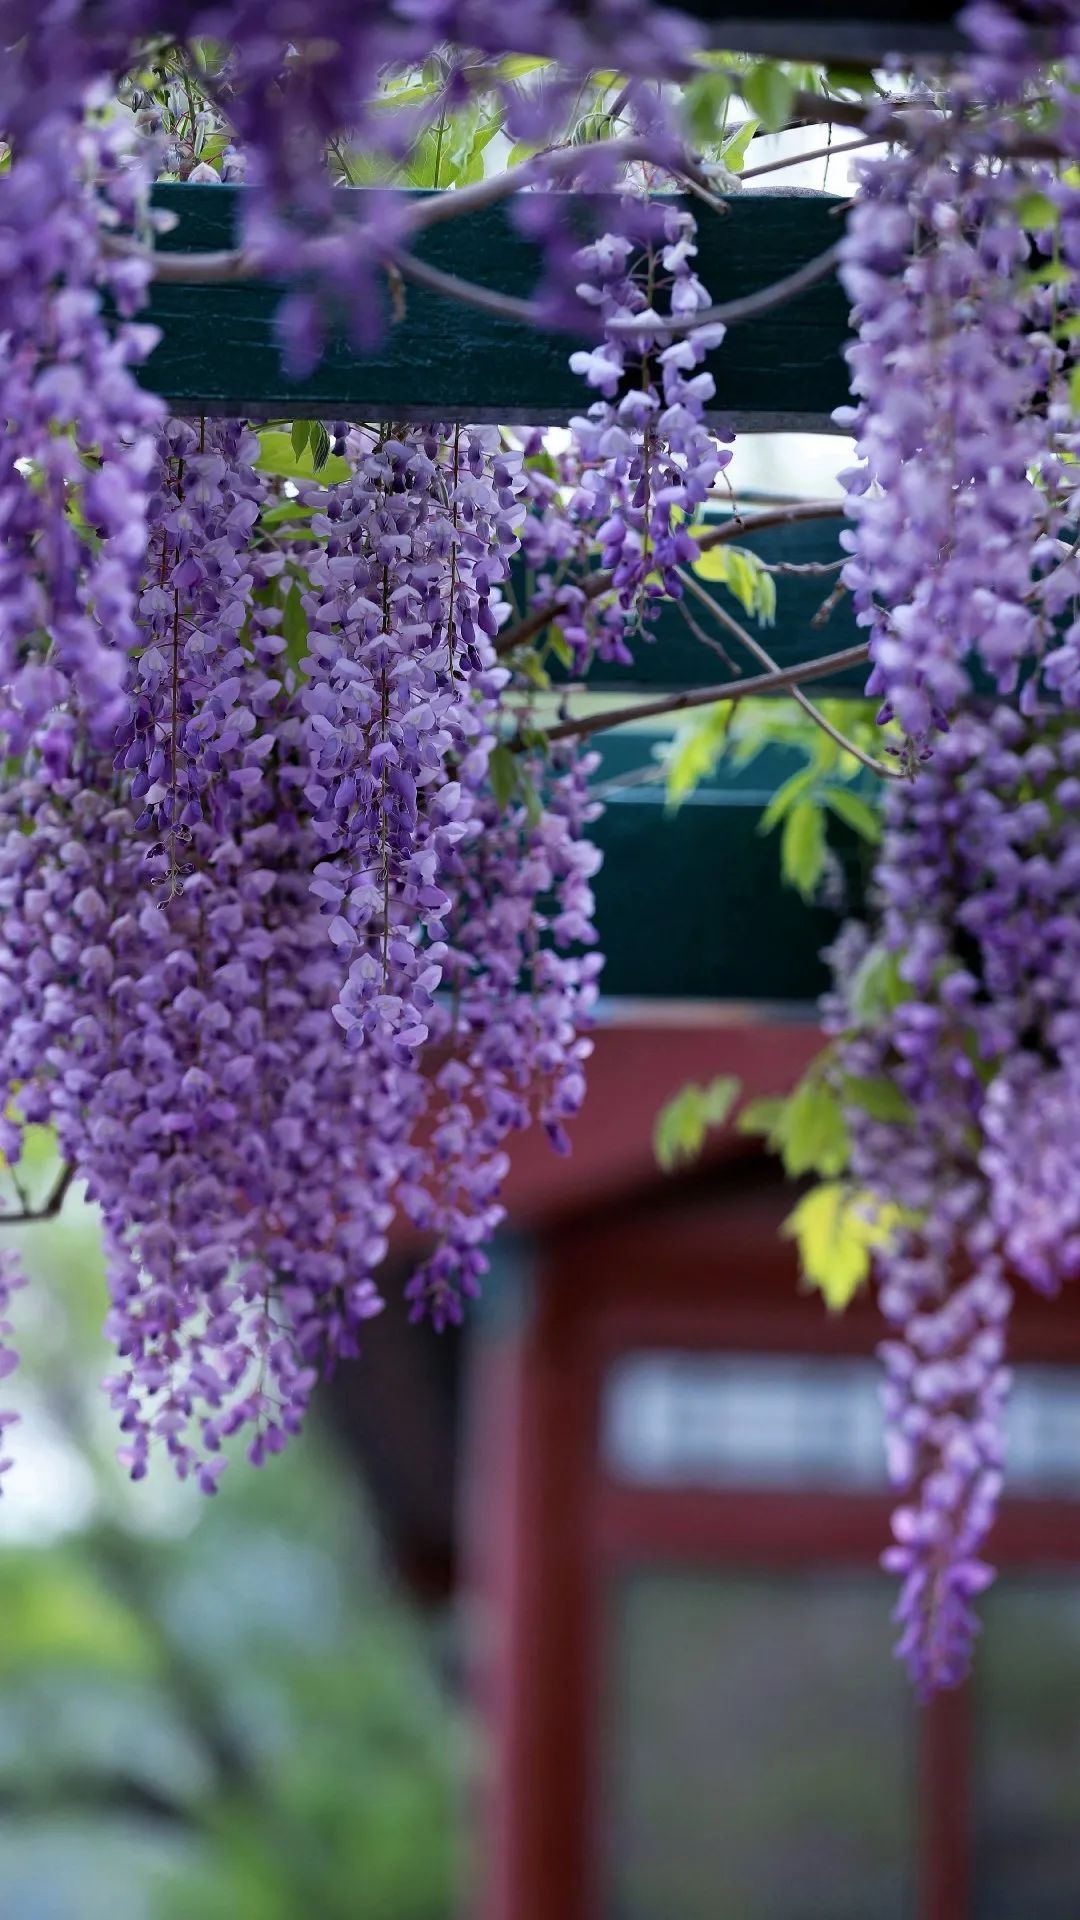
[210, 1710]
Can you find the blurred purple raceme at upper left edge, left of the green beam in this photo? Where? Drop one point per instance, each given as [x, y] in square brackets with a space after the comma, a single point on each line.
[76, 433]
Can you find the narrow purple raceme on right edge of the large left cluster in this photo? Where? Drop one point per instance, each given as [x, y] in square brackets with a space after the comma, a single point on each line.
[522, 988]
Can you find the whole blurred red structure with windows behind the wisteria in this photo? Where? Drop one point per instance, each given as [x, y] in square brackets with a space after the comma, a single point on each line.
[674, 1502]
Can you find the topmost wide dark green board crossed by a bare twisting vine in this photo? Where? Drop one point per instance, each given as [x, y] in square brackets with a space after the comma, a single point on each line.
[447, 362]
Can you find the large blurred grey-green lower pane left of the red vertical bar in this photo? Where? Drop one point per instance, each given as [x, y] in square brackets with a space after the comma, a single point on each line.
[760, 1750]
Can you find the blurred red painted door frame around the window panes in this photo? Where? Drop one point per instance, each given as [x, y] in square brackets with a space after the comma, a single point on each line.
[551, 1529]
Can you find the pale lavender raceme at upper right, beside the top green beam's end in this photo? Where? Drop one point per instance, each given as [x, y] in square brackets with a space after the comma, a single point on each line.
[950, 372]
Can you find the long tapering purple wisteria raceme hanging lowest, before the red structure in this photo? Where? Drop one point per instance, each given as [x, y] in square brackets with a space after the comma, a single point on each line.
[979, 1036]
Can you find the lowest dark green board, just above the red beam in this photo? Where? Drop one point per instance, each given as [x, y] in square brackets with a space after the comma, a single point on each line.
[691, 905]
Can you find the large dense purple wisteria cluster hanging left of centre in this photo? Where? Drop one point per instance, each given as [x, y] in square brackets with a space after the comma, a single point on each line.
[278, 967]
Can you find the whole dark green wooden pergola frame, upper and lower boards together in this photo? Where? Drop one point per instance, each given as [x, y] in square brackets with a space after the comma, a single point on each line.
[435, 358]
